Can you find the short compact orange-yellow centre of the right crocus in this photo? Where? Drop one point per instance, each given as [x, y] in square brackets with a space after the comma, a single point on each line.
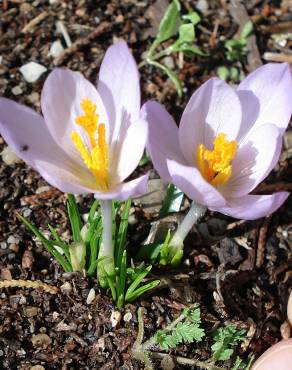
[215, 166]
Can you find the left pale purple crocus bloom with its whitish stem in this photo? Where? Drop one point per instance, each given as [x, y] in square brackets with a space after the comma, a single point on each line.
[89, 139]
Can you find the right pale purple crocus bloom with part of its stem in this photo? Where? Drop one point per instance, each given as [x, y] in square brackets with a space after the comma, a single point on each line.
[227, 142]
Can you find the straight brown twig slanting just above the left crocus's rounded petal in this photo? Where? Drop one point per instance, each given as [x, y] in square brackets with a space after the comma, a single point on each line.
[101, 28]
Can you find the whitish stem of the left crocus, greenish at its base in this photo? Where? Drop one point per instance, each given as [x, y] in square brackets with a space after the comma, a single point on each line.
[106, 266]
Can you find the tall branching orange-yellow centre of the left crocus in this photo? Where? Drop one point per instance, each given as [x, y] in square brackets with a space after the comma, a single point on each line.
[95, 158]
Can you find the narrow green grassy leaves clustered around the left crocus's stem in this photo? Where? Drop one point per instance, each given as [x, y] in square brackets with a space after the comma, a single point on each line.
[126, 284]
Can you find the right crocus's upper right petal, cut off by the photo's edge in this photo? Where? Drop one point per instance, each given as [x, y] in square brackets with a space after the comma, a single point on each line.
[266, 96]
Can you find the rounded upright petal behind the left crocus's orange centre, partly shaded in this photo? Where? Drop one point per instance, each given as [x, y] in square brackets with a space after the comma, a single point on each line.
[61, 99]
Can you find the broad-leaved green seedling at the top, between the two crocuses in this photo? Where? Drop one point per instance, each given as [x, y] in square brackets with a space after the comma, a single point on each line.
[180, 29]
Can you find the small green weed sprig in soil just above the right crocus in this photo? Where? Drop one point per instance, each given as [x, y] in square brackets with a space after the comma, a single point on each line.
[235, 52]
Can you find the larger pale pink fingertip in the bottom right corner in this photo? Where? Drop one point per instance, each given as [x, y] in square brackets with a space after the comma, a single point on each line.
[277, 357]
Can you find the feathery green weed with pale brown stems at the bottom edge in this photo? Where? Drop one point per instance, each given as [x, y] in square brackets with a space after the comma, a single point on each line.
[187, 329]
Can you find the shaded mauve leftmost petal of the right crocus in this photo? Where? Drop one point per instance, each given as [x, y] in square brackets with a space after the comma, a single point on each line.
[162, 138]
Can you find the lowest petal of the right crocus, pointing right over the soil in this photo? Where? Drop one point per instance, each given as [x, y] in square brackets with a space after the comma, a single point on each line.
[251, 207]
